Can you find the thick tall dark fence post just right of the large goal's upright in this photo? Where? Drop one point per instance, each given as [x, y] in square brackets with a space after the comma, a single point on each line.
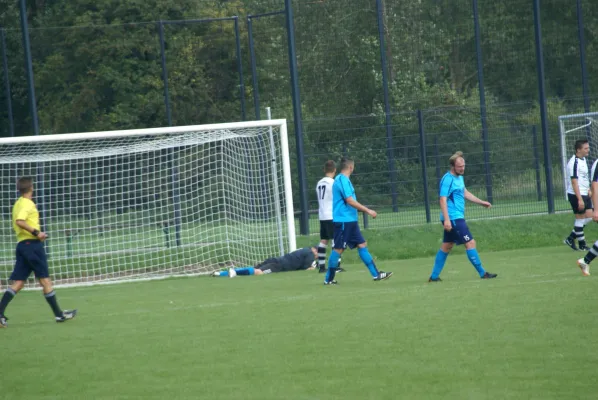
[297, 118]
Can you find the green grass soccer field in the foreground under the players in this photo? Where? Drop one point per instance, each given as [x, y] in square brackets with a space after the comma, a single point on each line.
[529, 334]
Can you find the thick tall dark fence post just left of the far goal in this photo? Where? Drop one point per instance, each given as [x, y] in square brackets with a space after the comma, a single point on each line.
[543, 110]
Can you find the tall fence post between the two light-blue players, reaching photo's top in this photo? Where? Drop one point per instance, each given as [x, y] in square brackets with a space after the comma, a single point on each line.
[388, 122]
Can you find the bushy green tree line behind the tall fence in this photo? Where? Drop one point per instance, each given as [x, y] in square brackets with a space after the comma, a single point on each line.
[97, 67]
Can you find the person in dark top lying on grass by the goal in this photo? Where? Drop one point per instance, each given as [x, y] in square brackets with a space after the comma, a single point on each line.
[301, 259]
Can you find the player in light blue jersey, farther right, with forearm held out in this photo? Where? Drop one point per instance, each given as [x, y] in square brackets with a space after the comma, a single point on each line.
[452, 215]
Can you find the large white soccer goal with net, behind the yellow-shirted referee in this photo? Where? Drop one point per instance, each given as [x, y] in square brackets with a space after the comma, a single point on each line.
[153, 203]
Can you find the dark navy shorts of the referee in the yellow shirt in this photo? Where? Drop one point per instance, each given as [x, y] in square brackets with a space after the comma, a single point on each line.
[31, 257]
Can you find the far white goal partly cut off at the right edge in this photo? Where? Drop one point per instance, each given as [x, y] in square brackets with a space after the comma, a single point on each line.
[573, 127]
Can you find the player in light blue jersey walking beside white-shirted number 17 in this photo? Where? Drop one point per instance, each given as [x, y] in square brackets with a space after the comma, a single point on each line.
[346, 227]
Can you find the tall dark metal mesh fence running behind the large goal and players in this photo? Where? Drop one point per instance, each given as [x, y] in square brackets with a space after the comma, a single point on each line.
[397, 86]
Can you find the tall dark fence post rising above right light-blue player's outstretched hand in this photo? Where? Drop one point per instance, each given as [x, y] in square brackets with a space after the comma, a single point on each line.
[483, 116]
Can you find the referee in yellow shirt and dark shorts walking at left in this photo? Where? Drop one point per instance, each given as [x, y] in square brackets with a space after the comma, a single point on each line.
[30, 254]
